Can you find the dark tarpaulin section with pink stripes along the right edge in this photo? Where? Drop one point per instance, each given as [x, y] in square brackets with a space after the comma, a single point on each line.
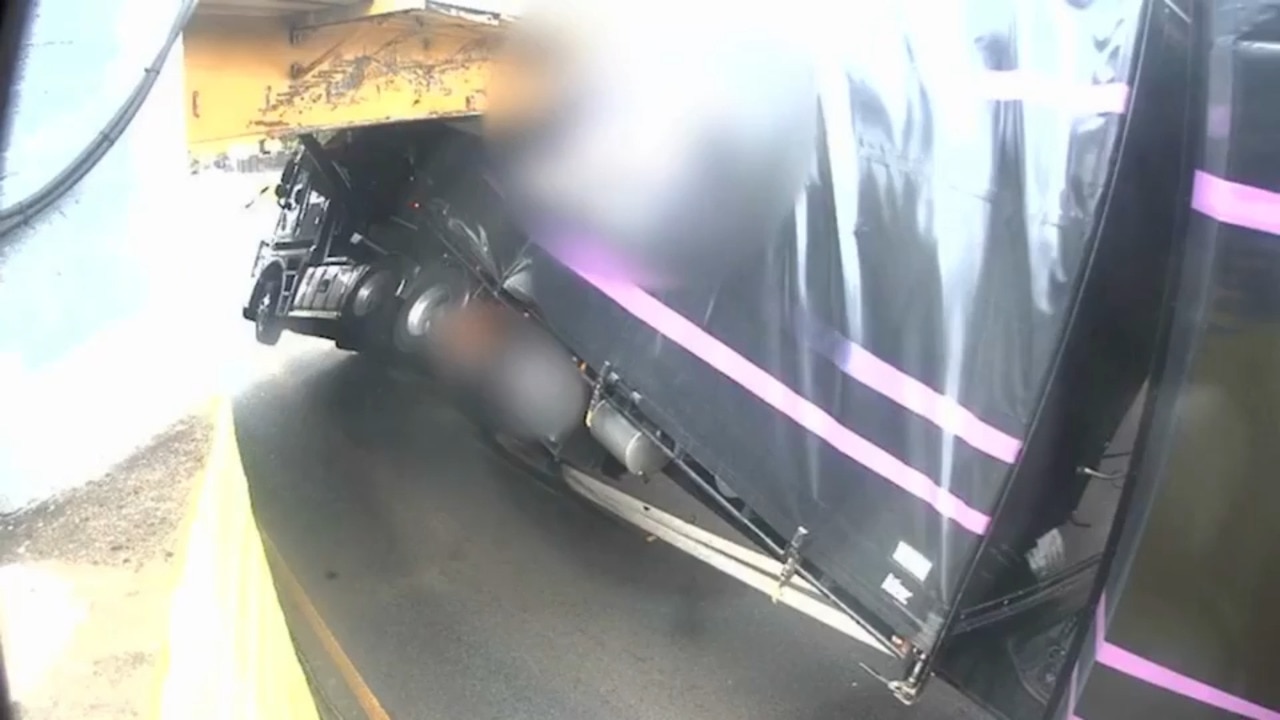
[1188, 627]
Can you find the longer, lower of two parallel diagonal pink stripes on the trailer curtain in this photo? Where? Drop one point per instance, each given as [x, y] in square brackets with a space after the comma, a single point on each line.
[732, 364]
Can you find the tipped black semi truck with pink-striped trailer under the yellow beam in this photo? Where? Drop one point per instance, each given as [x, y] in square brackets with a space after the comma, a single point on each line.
[944, 404]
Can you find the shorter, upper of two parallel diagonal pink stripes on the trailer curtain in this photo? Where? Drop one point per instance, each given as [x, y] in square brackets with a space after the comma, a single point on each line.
[944, 412]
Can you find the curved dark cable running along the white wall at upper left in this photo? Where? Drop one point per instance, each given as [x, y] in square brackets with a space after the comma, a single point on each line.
[38, 203]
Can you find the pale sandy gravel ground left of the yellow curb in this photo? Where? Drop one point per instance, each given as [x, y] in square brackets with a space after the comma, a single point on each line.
[85, 584]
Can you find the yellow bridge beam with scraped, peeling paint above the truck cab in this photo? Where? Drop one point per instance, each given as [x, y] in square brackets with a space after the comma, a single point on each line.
[382, 61]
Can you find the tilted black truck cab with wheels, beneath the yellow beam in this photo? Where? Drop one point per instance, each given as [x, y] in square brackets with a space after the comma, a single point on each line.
[369, 221]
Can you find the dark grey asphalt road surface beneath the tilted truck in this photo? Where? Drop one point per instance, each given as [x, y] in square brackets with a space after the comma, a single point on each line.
[428, 578]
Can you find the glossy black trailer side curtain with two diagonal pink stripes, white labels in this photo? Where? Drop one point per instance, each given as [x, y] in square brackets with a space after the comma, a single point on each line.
[872, 379]
